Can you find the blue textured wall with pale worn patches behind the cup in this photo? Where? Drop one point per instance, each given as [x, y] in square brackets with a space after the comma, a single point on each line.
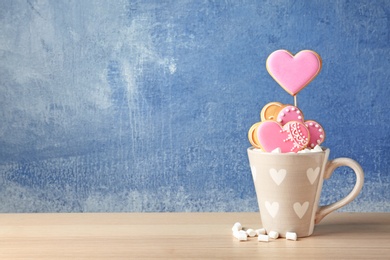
[145, 105]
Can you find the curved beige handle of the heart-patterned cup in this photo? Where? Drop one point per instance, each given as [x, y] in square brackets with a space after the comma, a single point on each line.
[329, 169]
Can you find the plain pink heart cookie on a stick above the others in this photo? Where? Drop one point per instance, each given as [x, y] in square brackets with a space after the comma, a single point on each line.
[293, 73]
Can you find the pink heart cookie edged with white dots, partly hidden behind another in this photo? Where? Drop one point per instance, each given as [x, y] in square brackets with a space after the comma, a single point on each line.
[292, 113]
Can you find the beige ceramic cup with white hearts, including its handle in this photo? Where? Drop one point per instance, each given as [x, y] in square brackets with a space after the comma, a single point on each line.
[288, 188]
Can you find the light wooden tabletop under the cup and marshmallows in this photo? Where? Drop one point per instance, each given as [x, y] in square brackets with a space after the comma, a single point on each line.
[185, 235]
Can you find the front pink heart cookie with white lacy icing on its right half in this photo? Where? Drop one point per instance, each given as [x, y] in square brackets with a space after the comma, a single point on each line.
[291, 137]
